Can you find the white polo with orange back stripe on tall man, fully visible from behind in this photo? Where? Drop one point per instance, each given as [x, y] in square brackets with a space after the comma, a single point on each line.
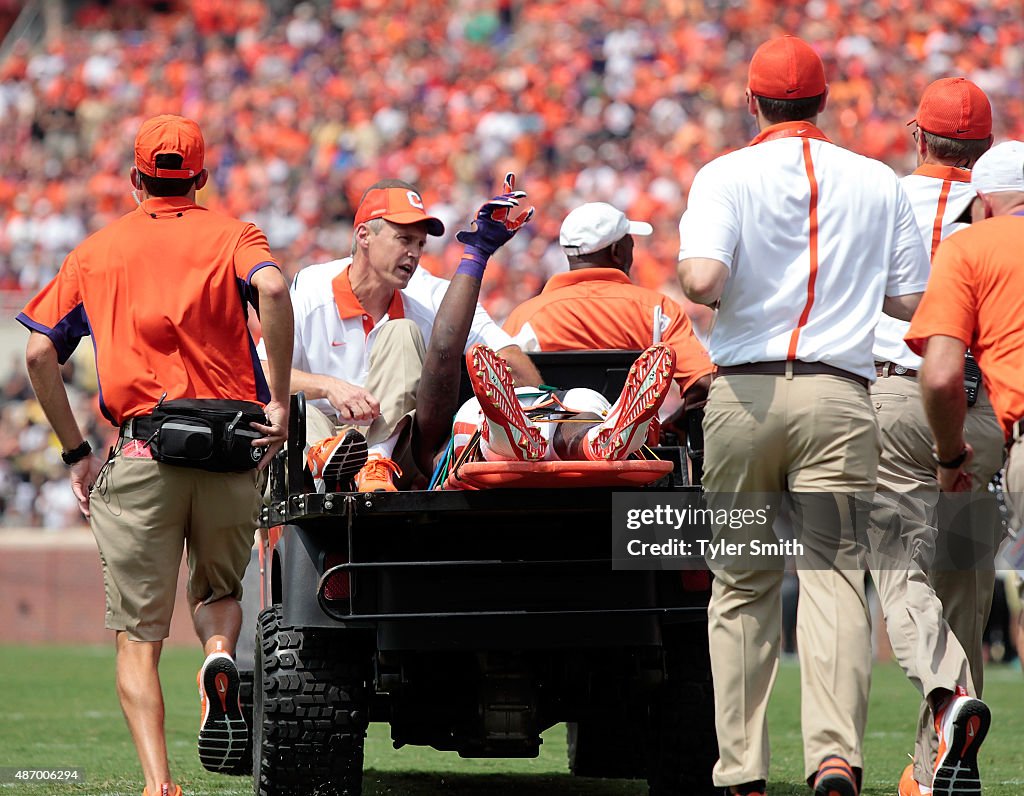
[815, 238]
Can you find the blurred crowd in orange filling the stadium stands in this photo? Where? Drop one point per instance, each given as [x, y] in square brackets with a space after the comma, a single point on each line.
[306, 105]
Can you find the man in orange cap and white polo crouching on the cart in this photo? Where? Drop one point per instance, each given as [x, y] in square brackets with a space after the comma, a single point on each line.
[362, 327]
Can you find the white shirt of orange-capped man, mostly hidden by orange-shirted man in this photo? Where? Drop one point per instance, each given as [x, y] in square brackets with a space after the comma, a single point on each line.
[940, 195]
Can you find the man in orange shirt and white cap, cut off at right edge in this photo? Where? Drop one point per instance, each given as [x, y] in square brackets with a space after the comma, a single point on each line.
[975, 300]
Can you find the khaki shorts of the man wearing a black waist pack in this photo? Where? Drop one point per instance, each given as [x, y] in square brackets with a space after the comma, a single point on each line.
[145, 514]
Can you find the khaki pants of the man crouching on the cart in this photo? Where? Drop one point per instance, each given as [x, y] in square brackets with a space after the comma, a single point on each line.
[394, 379]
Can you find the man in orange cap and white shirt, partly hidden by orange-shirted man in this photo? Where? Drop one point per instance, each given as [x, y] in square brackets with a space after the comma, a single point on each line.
[935, 615]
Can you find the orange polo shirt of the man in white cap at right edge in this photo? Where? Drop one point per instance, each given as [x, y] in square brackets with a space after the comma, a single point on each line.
[976, 296]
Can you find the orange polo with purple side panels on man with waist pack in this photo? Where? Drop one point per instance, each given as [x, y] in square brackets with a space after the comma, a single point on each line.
[163, 294]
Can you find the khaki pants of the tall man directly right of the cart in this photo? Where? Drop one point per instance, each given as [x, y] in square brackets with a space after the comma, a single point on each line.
[816, 438]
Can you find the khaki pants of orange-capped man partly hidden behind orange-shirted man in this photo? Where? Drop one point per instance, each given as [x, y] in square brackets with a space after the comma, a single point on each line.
[935, 616]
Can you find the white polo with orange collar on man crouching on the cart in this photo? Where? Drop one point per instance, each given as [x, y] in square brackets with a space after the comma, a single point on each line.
[334, 336]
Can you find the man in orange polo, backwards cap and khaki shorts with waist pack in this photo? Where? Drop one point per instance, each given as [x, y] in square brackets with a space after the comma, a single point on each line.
[163, 291]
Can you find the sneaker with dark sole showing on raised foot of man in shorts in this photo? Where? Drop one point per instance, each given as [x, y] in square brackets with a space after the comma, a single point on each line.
[223, 733]
